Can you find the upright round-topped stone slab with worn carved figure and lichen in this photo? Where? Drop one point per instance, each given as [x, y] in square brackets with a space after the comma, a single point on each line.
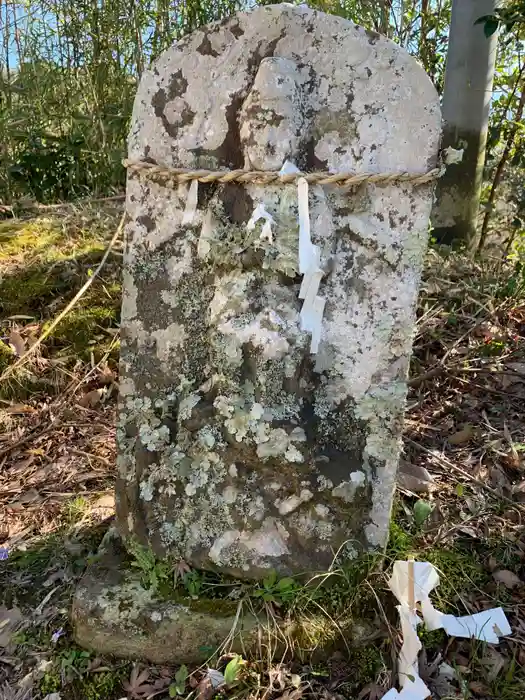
[260, 427]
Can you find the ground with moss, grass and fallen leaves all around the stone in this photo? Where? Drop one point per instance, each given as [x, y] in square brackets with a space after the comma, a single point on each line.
[470, 533]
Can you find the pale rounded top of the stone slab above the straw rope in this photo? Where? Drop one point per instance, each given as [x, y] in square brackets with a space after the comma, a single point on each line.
[287, 82]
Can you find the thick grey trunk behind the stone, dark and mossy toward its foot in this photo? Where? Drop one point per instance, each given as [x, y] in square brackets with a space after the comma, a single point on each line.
[466, 103]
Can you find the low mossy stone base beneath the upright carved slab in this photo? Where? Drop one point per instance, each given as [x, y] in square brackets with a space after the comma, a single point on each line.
[114, 614]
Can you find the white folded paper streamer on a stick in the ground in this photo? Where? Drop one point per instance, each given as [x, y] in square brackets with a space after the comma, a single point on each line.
[411, 583]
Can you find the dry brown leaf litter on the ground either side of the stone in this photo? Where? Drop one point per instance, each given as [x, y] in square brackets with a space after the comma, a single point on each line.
[464, 451]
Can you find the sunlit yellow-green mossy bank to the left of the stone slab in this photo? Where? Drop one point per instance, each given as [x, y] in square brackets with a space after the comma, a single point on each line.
[43, 263]
